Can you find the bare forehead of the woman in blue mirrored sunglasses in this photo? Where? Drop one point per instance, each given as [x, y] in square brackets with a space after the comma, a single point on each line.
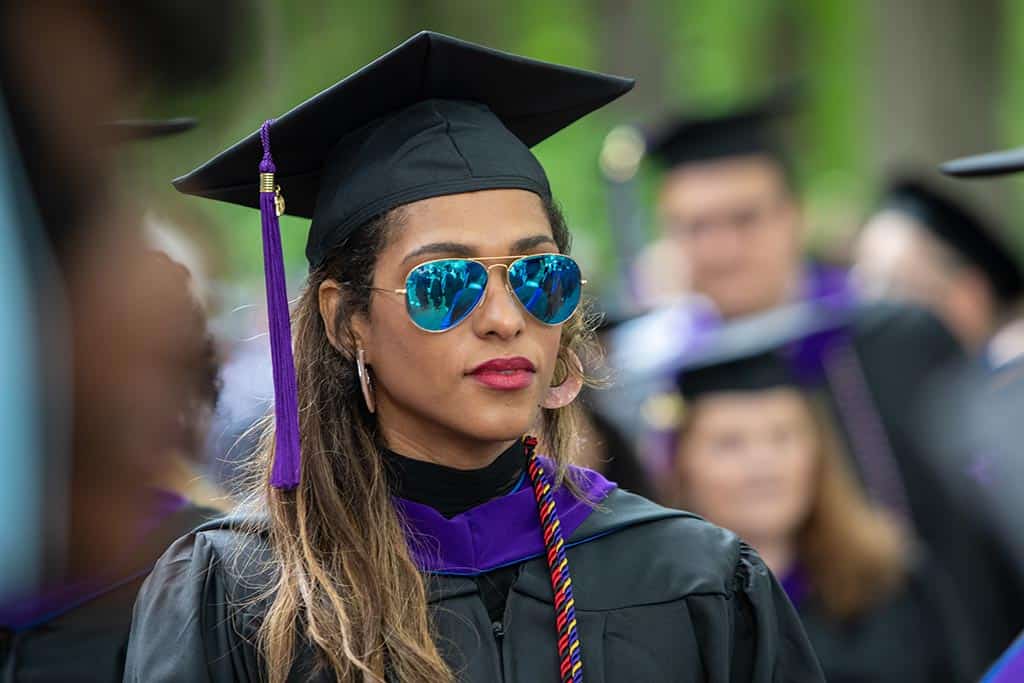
[487, 223]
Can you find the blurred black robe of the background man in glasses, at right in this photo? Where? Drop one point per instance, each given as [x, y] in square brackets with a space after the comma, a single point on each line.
[904, 355]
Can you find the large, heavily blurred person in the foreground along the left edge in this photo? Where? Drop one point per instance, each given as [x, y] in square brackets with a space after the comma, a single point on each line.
[114, 365]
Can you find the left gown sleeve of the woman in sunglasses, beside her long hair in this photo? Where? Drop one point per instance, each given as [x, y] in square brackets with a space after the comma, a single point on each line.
[184, 626]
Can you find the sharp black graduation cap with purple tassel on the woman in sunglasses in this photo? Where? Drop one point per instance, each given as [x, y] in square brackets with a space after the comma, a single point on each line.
[435, 116]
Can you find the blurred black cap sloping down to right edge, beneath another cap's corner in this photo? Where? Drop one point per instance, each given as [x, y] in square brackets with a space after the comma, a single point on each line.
[963, 231]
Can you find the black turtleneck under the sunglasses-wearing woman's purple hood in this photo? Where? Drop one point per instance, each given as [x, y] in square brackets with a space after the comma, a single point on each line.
[452, 492]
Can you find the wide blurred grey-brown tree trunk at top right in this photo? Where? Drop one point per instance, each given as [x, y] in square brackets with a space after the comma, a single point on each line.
[937, 84]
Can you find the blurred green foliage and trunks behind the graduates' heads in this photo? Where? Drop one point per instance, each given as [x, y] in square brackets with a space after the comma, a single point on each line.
[887, 86]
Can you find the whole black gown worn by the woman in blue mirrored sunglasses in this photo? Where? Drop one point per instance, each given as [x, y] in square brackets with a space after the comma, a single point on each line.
[661, 595]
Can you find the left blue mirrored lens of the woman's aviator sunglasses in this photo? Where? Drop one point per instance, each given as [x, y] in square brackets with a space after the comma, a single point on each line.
[441, 294]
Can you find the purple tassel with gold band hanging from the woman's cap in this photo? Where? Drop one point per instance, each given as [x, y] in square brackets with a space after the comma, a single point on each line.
[287, 460]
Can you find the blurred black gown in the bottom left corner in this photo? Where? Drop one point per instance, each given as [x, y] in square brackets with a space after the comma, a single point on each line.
[86, 642]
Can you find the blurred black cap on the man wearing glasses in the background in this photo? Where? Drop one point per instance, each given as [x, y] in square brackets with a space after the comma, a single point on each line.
[741, 133]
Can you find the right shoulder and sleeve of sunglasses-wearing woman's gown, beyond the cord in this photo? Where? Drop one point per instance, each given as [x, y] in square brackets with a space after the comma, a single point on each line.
[650, 567]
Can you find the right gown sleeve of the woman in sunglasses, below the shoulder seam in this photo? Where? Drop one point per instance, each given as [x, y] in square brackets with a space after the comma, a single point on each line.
[754, 634]
